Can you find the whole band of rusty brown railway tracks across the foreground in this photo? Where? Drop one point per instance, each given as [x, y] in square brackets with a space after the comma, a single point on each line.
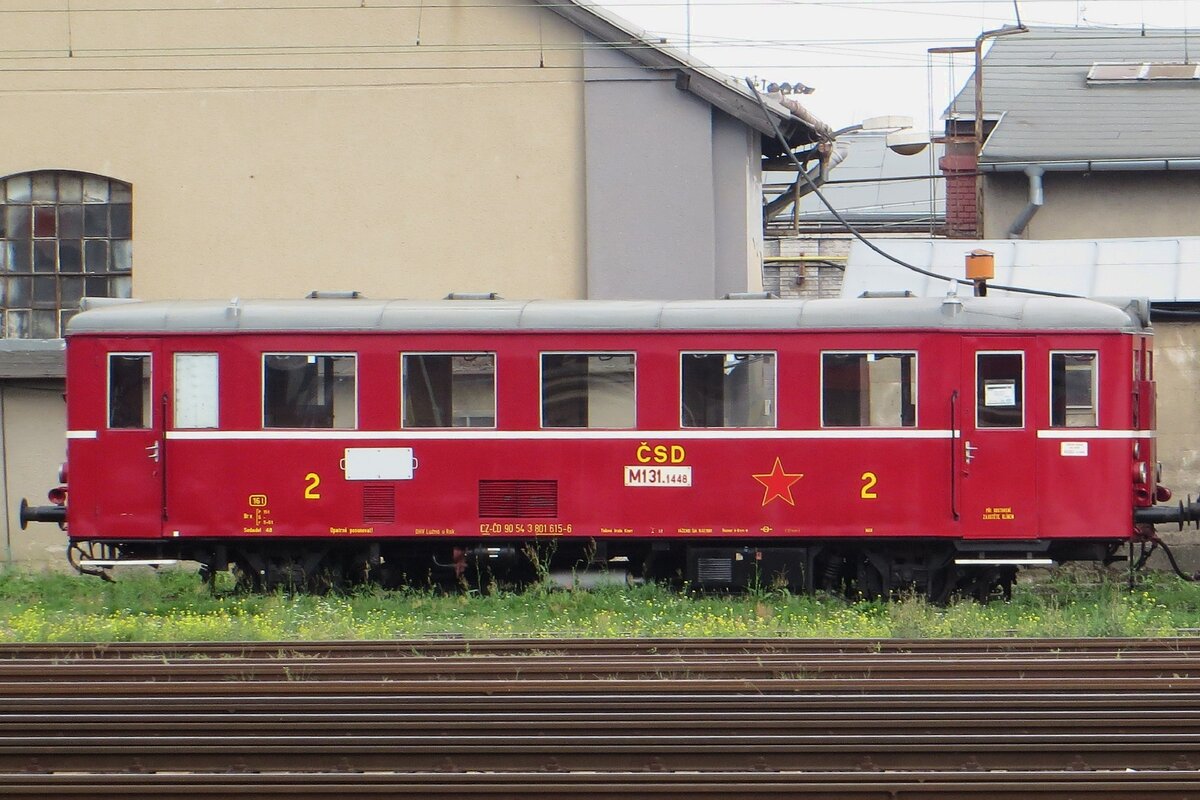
[764, 719]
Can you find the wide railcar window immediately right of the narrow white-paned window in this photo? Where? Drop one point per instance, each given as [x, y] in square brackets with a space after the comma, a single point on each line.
[309, 392]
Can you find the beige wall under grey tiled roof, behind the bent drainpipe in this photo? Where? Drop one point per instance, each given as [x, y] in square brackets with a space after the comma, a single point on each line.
[1096, 206]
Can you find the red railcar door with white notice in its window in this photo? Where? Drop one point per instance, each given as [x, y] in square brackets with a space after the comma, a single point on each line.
[995, 453]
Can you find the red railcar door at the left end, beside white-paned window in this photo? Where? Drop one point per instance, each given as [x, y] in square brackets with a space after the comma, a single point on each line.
[133, 442]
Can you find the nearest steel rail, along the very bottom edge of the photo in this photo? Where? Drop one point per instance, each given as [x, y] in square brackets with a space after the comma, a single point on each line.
[843, 786]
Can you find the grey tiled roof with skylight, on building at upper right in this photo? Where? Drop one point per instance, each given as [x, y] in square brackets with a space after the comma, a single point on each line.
[1037, 85]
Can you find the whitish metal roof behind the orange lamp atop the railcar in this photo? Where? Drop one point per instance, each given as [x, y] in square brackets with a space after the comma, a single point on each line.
[1166, 270]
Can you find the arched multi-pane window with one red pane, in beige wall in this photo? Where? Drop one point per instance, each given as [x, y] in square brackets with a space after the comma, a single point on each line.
[63, 237]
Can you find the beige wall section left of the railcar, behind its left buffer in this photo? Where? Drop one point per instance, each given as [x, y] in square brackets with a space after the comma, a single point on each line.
[33, 418]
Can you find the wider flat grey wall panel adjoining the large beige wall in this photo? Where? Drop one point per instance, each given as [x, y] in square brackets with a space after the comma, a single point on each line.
[650, 185]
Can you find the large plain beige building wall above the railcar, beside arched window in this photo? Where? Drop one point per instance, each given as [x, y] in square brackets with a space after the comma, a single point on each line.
[267, 161]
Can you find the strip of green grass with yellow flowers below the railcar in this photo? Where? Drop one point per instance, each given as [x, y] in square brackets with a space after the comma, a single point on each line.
[176, 606]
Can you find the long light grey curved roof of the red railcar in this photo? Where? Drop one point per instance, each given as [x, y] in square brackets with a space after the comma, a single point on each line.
[385, 316]
